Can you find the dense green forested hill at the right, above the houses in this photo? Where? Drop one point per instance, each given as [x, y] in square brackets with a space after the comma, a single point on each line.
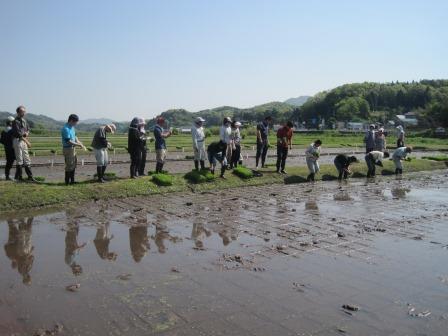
[380, 102]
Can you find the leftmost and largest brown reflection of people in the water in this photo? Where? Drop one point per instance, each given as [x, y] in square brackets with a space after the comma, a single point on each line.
[19, 247]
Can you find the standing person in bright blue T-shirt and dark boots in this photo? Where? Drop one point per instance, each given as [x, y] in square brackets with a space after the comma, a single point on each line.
[69, 143]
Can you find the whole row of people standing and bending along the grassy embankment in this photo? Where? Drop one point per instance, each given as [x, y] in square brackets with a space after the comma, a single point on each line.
[226, 151]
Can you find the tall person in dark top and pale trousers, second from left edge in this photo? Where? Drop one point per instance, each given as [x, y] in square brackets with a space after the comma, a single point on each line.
[21, 143]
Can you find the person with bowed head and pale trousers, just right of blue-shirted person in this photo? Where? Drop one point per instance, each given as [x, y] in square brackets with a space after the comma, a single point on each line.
[100, 146]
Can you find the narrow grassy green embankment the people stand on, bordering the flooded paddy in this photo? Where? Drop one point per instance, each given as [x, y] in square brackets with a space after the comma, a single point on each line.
[15, 196]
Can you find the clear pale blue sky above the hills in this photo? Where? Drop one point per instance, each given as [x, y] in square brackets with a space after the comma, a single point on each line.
[120, 59]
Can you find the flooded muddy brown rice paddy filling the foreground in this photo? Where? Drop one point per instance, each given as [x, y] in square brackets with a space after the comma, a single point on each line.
[276, 260]
